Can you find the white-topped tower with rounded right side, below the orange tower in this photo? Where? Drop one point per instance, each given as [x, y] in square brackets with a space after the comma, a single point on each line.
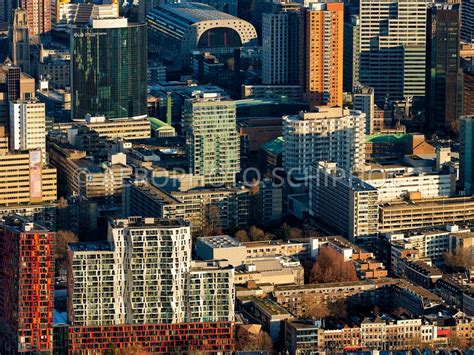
[330, 134]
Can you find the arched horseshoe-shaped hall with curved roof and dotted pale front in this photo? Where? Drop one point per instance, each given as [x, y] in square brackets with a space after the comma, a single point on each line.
[184, 27]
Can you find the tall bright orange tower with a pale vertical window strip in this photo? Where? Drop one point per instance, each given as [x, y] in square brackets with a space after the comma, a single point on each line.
[321, 37]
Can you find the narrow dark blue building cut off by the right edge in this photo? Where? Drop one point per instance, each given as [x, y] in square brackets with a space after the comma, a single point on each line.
[466, 154]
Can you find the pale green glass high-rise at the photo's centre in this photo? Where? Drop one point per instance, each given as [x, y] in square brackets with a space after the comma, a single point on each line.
[212, 141]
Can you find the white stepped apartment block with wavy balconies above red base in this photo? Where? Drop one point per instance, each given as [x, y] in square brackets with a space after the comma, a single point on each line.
[143, 274]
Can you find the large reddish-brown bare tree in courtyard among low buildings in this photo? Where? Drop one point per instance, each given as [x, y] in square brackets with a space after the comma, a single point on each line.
[331, 267]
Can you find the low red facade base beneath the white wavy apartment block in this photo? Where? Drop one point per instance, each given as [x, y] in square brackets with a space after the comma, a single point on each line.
[154, 338]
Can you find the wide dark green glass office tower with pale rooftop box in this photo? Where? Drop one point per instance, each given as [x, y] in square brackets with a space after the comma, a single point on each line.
[109, 69]
